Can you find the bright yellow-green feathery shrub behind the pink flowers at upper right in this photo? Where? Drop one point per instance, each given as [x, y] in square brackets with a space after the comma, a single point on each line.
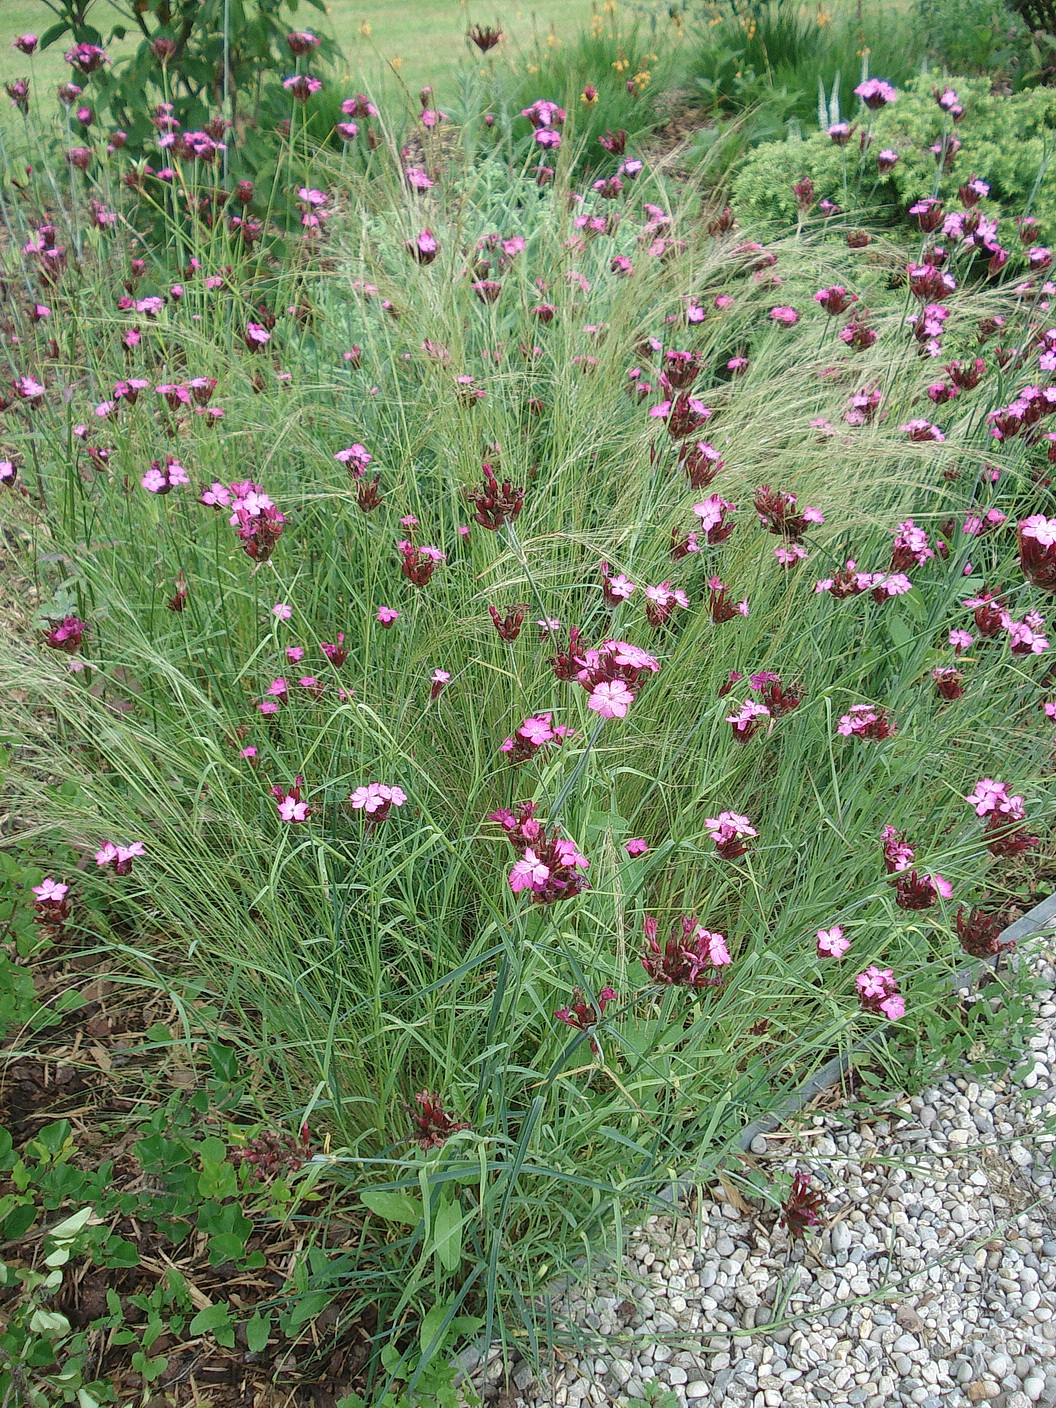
[1005, 142]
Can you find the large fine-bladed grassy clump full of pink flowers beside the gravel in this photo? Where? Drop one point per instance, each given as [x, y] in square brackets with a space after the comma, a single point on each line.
[495, 629]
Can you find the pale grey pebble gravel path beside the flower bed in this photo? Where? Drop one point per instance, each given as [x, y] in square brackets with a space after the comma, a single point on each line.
[941, 1214]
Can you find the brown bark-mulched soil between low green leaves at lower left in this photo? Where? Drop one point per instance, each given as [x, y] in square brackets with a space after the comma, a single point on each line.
[92, 1071]
